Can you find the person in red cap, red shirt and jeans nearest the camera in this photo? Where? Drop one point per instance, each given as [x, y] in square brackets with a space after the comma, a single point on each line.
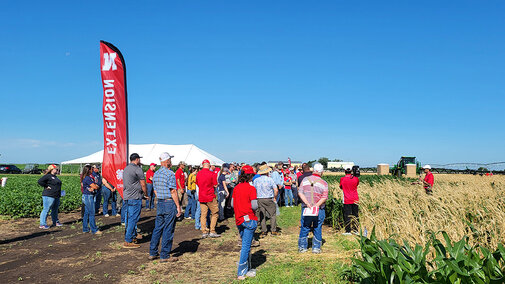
[245, 203]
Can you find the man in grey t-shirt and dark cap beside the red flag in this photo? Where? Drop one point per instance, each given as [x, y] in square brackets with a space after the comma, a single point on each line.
[134, 188]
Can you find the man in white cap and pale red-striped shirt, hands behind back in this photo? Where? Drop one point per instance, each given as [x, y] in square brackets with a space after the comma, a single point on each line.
[313, 192]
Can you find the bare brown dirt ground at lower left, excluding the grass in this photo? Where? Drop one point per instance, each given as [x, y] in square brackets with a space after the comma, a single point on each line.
[66, 254]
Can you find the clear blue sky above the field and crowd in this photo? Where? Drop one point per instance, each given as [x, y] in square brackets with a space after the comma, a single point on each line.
[365, 81]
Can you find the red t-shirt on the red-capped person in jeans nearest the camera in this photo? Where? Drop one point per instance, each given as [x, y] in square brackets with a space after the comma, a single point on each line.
[243, 194]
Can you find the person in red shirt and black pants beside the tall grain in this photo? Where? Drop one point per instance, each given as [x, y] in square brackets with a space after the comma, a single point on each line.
[349, 185]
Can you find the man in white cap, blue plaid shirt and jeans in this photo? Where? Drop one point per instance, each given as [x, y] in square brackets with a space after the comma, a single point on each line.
[167, 210]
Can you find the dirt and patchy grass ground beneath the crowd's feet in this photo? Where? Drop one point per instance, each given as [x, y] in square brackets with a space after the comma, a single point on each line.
[66, 255]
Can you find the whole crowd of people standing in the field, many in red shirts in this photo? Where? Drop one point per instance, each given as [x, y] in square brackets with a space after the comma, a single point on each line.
[209, 194]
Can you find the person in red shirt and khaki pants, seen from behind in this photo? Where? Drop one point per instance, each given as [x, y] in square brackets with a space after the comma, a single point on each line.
[207, 182]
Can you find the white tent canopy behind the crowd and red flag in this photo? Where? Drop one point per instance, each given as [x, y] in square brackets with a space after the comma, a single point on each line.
[150, 153]
